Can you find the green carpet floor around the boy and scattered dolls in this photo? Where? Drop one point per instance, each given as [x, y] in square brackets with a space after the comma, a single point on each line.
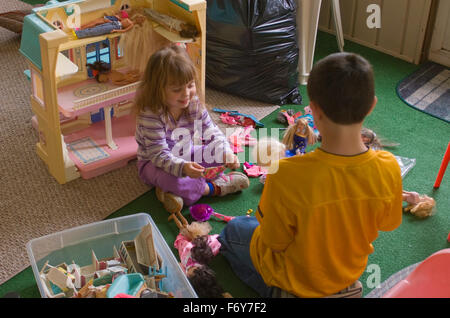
[420, 136]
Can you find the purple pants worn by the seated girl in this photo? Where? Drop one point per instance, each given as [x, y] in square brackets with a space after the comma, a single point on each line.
[189, 189]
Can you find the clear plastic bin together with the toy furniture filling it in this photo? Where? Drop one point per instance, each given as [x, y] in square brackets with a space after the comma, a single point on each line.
[65, 264]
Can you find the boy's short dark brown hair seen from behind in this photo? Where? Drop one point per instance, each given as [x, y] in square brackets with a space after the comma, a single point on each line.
[342, 85]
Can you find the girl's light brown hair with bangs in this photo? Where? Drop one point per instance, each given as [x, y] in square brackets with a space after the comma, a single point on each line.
[169, 65]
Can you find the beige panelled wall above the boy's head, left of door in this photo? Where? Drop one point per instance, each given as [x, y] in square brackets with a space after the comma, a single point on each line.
[403, 25]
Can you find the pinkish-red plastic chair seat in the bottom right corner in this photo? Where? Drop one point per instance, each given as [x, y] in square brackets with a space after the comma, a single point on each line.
[430, 279]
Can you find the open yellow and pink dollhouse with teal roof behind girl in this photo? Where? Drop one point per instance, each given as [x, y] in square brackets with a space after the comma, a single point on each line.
[86, 127]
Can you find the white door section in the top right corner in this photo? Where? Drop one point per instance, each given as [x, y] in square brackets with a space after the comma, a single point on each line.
[440, 41]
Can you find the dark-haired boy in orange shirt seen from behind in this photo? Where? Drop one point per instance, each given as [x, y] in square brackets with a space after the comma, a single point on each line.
[320, 212]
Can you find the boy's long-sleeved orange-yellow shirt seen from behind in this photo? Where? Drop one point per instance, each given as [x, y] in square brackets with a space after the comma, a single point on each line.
[319, 215]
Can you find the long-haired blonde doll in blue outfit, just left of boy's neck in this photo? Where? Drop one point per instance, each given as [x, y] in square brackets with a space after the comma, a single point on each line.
[298, 136]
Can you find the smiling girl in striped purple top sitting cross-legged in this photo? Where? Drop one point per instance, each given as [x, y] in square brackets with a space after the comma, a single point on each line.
[169, 113]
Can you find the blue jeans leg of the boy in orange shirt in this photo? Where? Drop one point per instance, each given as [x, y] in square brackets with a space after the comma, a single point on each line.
[235, 239]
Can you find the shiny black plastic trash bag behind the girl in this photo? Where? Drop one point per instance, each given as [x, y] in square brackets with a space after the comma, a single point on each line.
[252, 50]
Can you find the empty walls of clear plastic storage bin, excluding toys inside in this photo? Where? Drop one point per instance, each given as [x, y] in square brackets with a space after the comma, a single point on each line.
[76, 244]
